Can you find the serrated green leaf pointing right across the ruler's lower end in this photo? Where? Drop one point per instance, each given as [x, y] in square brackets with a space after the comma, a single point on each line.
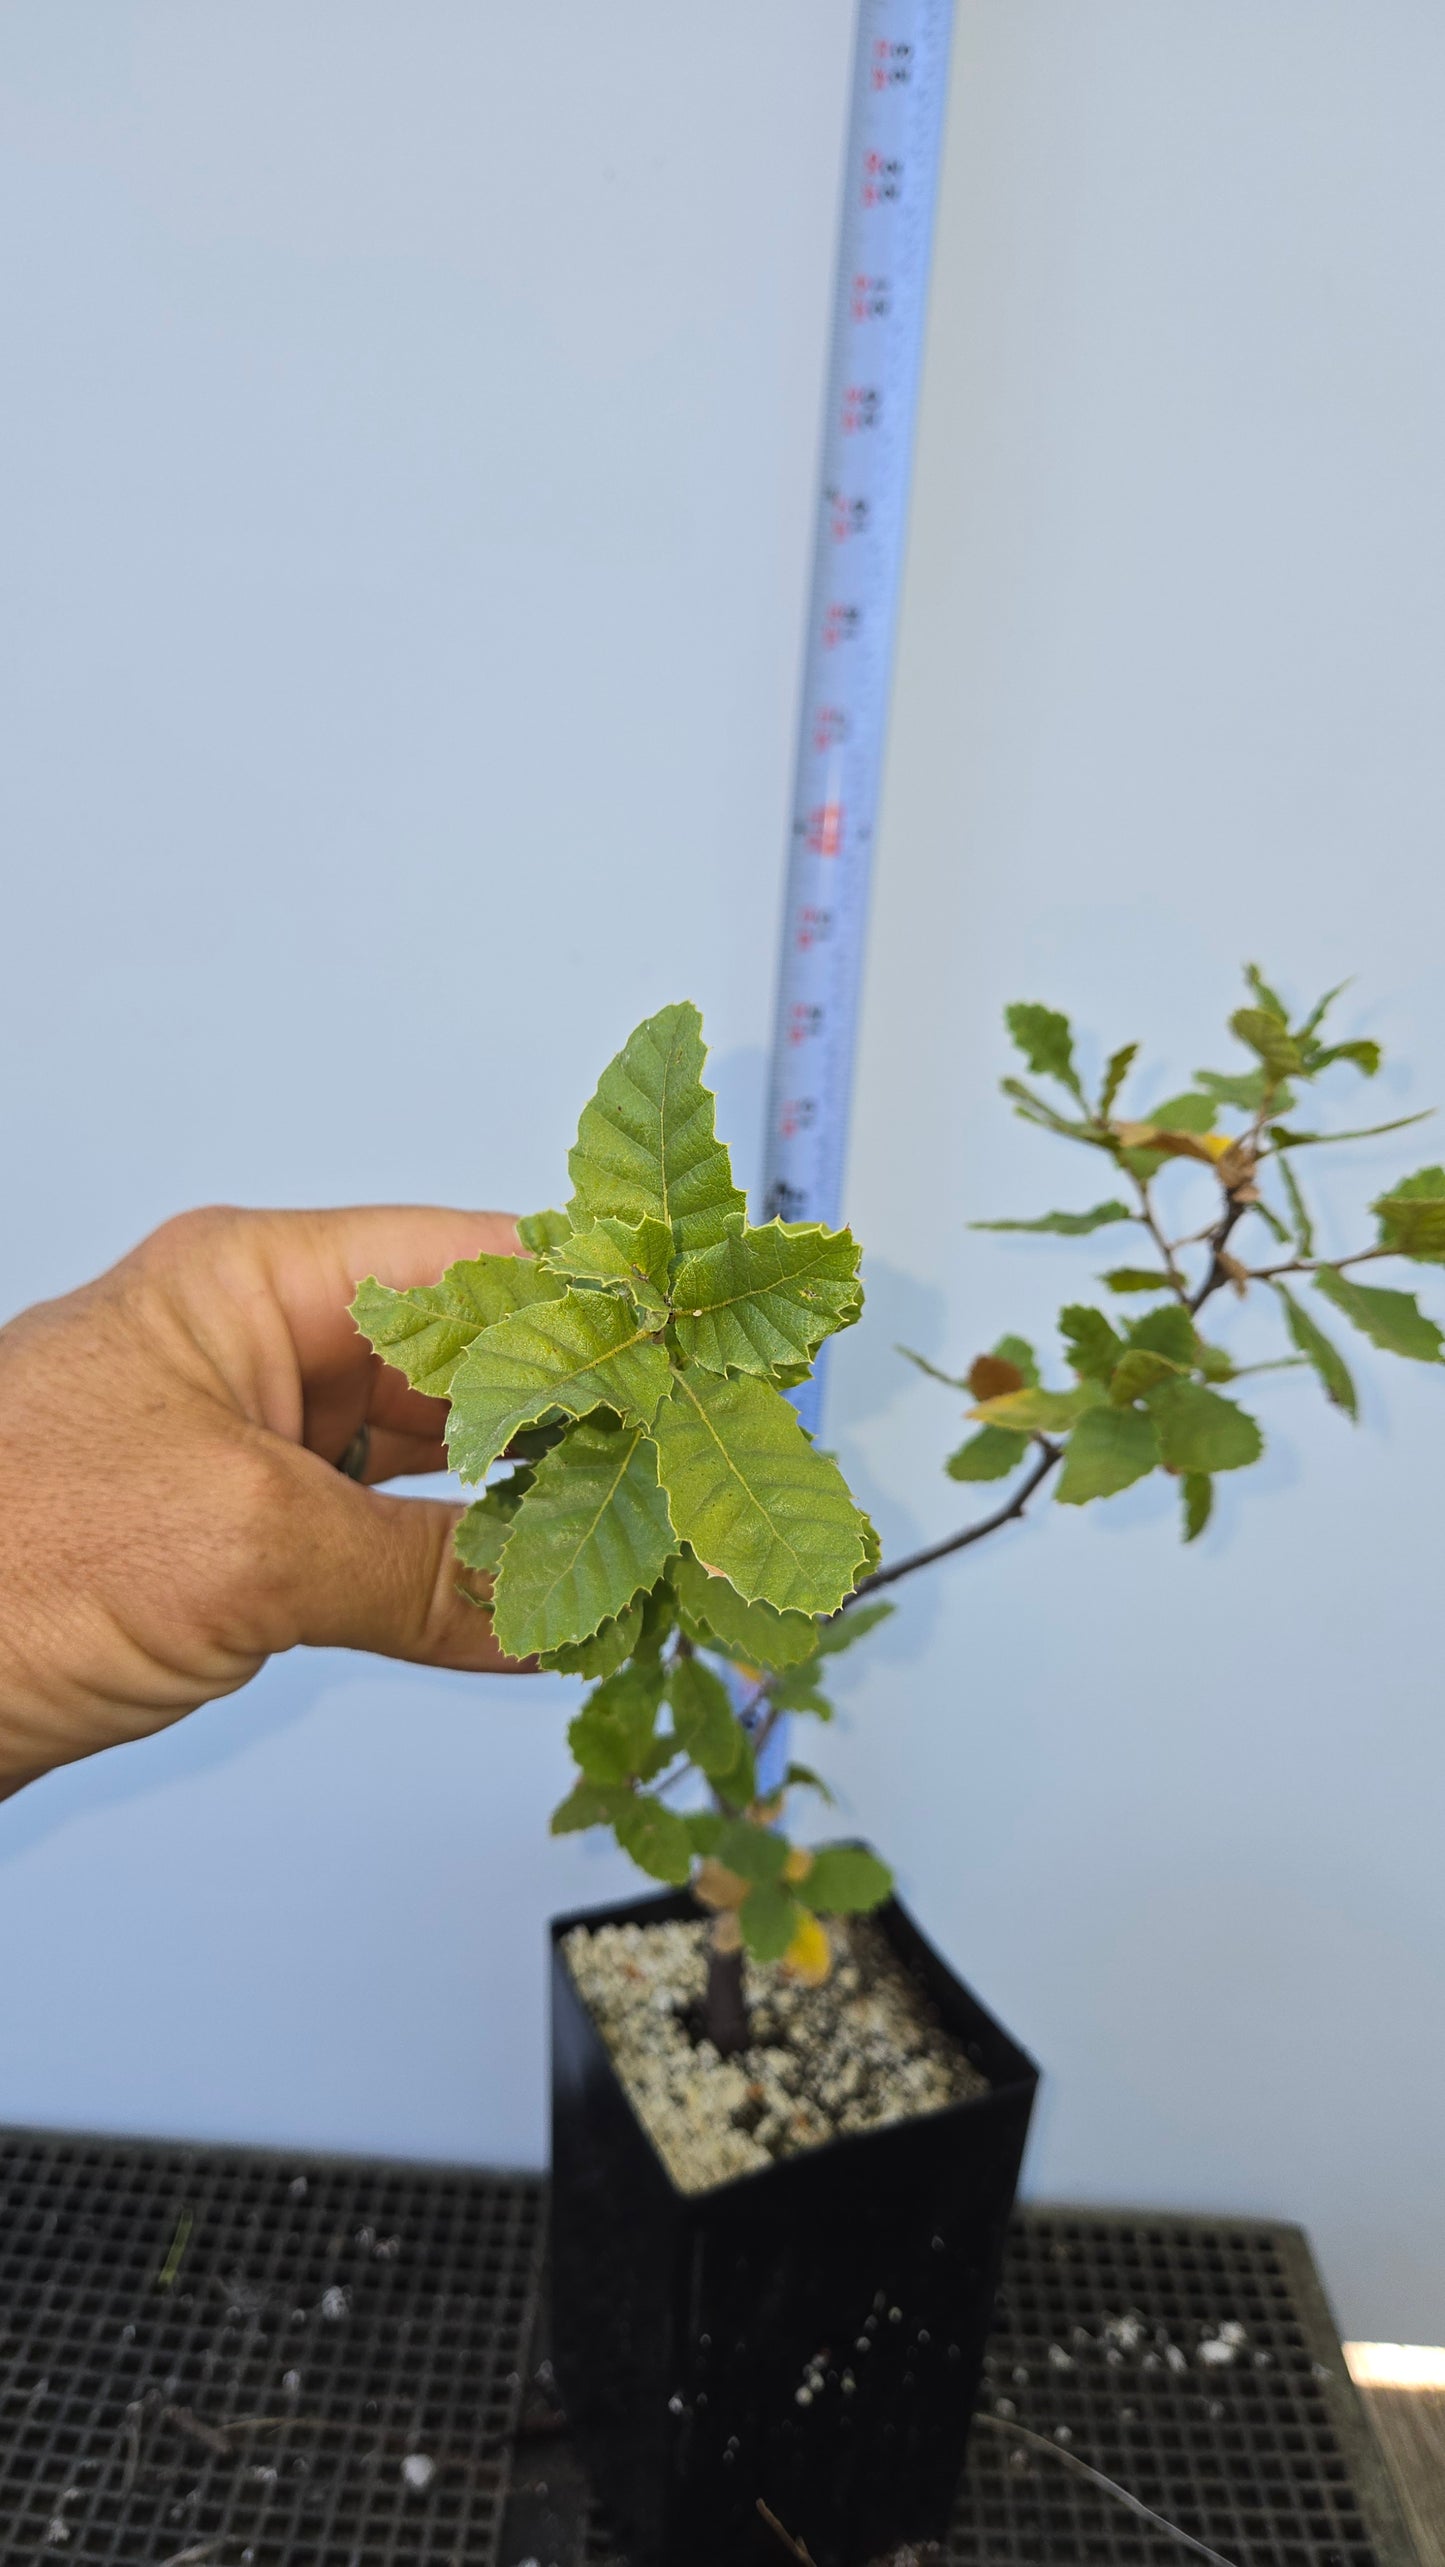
[766, 1298]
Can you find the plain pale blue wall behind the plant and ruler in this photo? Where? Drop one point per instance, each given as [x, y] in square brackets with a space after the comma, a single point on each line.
[407, 466]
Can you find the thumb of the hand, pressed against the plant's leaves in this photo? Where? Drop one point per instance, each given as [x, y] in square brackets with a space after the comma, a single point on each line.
[379, 1572]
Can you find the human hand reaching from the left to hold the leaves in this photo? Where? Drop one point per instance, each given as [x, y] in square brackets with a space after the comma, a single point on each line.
[171, 1506]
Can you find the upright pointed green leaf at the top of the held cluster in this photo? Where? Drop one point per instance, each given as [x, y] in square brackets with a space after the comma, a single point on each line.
[646, 1144]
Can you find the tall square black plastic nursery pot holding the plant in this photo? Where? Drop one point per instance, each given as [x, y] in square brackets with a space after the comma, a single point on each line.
[687, 2324]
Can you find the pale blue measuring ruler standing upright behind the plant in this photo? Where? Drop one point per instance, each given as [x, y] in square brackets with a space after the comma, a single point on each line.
[900, 89]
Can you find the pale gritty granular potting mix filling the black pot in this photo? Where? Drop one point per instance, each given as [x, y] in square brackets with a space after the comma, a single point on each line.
[853, 2055]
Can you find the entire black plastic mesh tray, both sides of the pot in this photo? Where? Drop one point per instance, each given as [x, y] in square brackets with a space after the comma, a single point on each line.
[320, 2363]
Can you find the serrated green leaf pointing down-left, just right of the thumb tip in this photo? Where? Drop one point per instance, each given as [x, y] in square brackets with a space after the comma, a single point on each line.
[589, 1539]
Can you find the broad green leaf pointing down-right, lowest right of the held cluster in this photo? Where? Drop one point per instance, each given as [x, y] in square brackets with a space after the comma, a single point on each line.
[753, 1498]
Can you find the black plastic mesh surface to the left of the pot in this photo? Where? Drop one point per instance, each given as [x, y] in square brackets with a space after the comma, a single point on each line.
[366, 2314]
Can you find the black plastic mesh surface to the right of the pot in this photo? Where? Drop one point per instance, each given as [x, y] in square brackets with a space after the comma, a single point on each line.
[1195, 2365]
